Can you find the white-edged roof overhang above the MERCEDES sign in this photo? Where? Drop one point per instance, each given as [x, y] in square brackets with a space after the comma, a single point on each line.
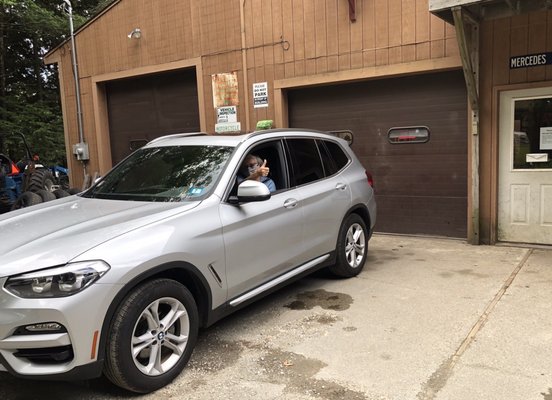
[487, 9]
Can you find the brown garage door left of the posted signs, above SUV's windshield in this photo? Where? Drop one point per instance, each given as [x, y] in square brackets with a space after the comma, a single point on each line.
[141, 109]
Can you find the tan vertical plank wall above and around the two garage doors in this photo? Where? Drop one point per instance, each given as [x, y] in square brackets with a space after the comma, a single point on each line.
[318, 38]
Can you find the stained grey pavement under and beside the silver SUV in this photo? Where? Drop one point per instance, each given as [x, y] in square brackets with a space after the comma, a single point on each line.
[427, 319]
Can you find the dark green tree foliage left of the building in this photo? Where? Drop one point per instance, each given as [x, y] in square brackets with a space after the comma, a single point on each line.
[29, 90]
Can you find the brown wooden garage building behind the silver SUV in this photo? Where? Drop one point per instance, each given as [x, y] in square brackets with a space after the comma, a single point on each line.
[420, 84]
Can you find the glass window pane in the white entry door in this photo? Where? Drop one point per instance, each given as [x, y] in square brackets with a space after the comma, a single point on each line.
[532, 133]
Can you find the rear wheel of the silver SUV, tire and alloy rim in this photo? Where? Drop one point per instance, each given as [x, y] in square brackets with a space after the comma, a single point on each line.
[352, 247]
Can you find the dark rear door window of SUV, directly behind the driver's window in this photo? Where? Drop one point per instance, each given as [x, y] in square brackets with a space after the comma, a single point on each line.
[305, 160]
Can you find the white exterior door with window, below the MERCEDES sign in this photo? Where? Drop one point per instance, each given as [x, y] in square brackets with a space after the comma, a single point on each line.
[525, 166]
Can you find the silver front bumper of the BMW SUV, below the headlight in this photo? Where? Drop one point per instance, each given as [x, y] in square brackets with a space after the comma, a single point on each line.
[50, 353]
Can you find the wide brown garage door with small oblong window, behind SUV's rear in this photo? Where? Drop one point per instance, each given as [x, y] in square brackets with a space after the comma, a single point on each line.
[421, 188]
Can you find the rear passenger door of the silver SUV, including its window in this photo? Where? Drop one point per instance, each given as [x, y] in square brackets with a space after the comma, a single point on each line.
[325, 193]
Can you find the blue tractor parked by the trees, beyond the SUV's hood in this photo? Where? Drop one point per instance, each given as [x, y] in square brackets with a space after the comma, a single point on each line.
[27, 182]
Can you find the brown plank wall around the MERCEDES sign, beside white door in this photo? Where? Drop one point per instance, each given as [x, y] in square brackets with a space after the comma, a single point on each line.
[500, 40]
